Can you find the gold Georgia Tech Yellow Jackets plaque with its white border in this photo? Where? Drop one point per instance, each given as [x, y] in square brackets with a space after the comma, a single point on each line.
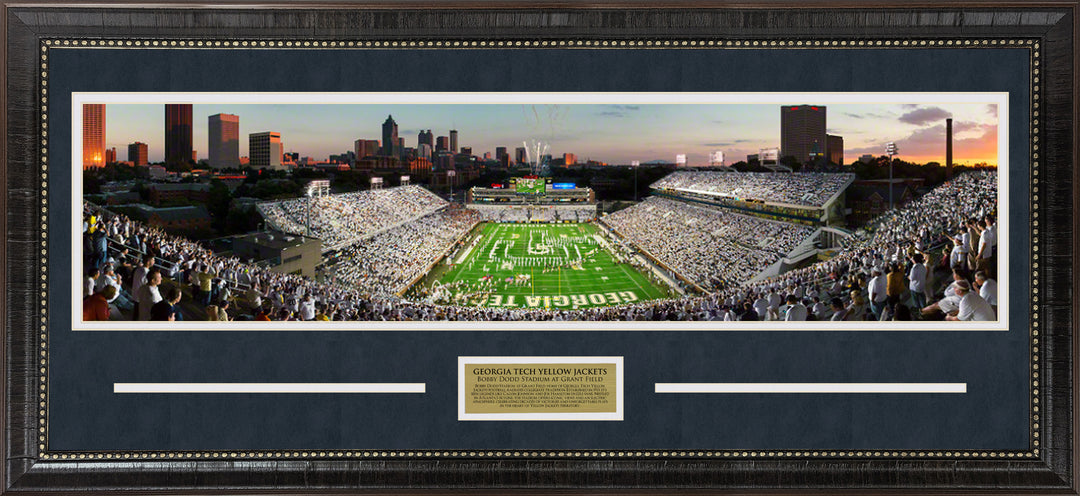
[541, 388]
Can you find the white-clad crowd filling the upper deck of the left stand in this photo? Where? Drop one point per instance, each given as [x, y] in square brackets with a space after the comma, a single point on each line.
[344, 220]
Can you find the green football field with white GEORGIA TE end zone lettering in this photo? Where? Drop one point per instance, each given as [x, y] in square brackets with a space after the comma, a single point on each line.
[537, 266]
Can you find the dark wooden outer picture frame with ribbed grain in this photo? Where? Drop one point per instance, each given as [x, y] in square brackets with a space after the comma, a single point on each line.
[1051, 470]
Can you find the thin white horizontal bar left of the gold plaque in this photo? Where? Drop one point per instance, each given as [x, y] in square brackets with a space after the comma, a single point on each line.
[267, 387]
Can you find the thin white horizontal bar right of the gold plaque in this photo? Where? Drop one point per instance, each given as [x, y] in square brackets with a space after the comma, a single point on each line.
[813, 387]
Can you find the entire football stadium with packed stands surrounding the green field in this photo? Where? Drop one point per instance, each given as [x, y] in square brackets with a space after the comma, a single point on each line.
[703, 246]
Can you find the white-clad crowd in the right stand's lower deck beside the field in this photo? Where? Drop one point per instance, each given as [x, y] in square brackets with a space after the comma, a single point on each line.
[713, 248]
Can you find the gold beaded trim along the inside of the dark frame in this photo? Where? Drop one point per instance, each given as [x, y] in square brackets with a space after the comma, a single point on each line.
[1032, 45]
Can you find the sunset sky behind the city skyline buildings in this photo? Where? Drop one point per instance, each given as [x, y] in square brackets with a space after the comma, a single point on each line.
[615, 135]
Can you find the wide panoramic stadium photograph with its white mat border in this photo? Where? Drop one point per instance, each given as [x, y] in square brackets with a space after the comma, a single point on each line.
[842, 211]
